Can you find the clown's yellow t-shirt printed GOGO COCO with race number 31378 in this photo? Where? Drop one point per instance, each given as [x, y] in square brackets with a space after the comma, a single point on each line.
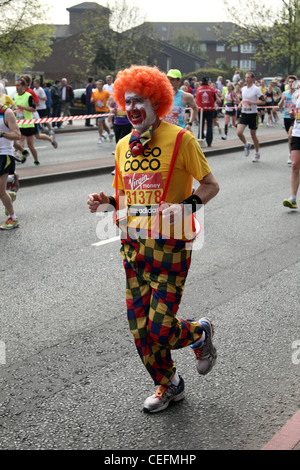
[143, 177]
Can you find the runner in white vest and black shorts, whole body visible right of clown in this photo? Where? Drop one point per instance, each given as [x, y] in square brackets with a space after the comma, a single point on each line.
[251, 98]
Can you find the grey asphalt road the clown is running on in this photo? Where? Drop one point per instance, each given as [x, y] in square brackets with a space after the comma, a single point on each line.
[72, 378]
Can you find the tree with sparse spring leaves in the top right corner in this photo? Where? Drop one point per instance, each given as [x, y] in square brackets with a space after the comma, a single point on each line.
[275, 33]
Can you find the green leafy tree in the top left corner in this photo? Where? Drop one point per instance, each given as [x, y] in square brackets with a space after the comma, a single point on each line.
[23, 39]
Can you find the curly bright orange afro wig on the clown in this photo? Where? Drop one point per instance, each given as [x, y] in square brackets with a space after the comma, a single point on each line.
[148, 82]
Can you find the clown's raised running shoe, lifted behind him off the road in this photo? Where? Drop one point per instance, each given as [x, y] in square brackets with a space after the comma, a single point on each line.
[206, 353]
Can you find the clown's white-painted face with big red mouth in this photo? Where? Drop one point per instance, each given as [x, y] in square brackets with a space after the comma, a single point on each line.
[139, 111]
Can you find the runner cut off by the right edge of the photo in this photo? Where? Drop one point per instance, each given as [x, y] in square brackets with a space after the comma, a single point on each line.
[295, 151]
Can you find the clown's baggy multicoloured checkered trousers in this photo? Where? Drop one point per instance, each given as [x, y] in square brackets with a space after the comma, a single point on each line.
[155, 278]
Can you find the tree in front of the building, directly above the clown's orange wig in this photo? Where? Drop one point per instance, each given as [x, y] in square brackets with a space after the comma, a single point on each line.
[108, 43]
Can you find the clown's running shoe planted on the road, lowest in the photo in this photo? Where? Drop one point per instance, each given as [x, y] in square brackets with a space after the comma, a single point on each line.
[163, 396]
